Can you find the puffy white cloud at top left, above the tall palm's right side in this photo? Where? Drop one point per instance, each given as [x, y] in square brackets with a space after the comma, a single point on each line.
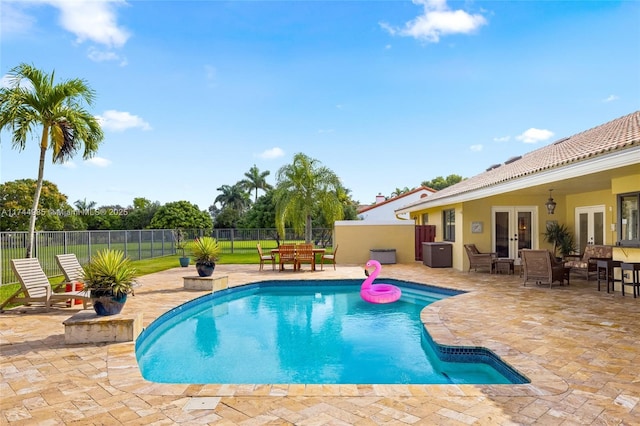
[93, 20]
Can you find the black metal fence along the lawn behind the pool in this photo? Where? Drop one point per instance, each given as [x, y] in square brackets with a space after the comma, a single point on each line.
[136, 244]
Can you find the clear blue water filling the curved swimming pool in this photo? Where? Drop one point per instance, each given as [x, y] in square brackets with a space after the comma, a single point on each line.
[311, 332]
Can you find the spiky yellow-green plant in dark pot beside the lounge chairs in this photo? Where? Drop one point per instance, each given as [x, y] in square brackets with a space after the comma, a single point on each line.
[109, 277]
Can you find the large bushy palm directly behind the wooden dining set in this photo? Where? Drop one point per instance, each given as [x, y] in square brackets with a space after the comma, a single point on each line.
[303, 187]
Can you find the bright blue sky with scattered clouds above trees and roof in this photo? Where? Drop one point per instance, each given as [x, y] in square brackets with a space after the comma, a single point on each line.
[387, 94]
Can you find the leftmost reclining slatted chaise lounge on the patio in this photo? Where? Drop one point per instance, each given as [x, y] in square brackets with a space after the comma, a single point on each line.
[36, 288]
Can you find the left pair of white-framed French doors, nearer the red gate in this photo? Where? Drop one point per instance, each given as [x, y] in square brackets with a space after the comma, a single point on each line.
[513, 228]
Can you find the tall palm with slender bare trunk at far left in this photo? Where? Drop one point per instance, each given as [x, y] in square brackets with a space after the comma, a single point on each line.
[32, 100]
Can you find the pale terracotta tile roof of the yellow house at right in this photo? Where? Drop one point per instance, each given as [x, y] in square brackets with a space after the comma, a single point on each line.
[615, 136]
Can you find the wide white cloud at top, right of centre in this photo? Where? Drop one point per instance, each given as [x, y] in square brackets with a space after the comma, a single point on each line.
[437, 20]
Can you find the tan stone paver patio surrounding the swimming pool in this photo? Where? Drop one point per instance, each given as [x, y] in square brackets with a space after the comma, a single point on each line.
[579, 347]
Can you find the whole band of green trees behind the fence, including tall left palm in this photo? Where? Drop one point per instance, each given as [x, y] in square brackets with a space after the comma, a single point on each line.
[306, 194]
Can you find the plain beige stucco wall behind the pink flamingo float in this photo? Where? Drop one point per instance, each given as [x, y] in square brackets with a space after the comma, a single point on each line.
[356, 238]
